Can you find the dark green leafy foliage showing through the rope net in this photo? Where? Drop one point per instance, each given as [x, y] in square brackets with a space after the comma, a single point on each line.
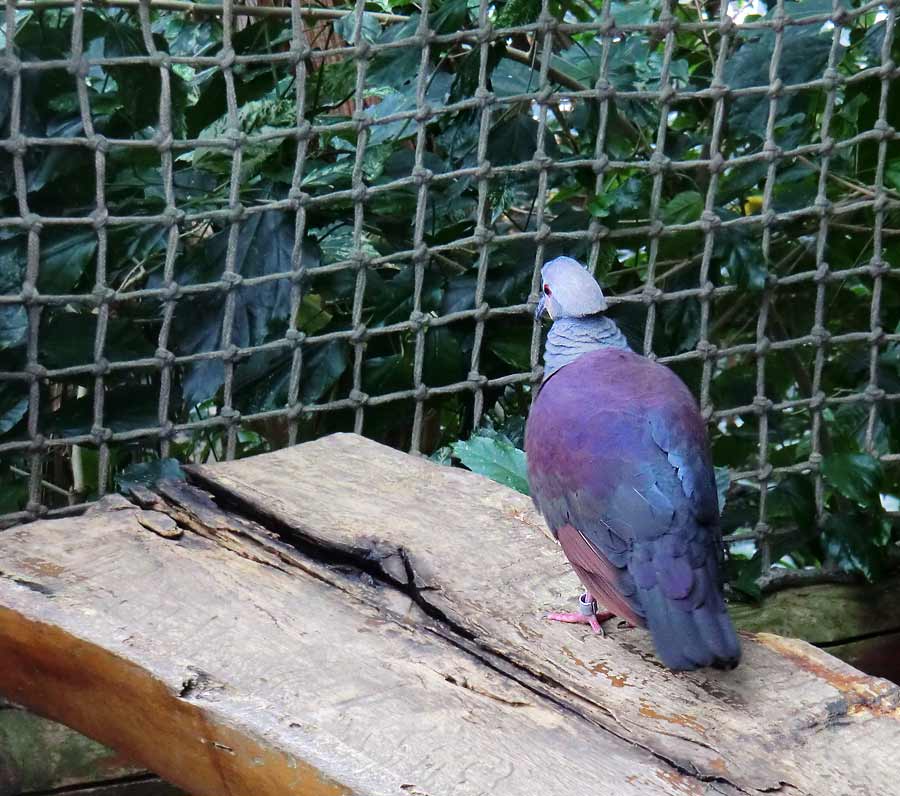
[123, 100]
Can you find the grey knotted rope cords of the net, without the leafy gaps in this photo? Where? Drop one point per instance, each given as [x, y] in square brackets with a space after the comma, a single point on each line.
[552, 88]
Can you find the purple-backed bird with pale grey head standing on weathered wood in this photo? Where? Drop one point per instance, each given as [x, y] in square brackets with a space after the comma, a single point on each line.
[620, 467]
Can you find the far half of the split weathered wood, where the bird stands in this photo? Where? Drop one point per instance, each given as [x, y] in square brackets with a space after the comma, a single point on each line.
[475, 554]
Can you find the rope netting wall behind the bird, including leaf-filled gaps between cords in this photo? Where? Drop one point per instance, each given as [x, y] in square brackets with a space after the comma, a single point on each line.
[512, 138]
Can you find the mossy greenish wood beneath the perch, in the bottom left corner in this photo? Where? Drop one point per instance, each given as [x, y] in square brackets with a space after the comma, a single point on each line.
[39, 754]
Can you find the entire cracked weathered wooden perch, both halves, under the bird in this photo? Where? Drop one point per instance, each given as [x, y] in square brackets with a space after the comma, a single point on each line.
[341, 618]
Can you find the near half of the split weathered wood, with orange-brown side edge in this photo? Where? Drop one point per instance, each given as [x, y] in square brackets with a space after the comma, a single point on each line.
[229, 663]
